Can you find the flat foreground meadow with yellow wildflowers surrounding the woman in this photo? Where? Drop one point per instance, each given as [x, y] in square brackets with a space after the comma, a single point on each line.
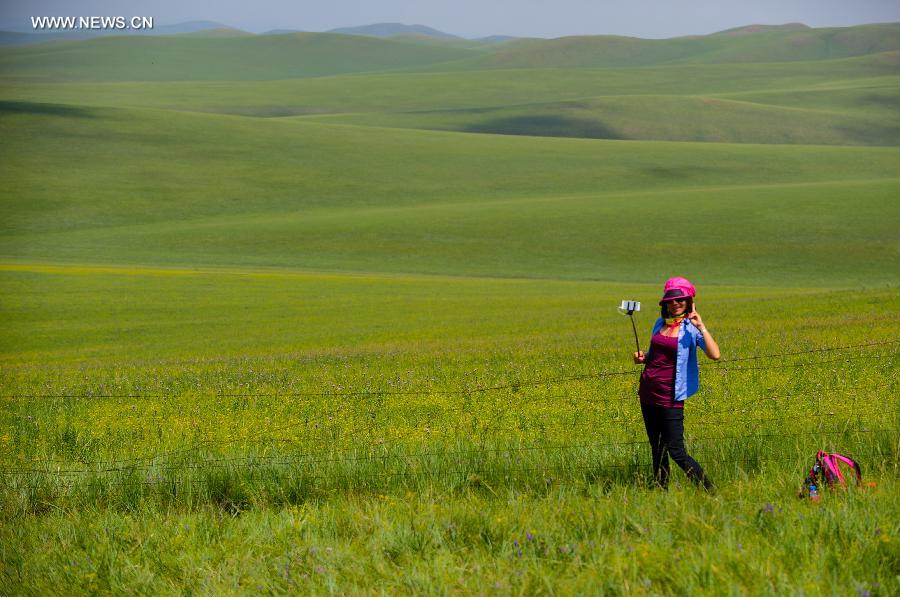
[316, 432]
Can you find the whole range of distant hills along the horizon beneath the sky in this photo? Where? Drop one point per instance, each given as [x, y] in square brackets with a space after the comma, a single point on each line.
[224, 53]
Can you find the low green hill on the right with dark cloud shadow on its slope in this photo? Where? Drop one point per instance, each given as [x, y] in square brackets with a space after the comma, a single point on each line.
[670, 118]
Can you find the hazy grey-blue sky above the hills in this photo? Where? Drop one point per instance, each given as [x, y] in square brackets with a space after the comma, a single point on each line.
[476, 18]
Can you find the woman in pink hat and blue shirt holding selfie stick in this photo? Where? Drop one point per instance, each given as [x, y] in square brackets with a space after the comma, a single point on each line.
[670, 376]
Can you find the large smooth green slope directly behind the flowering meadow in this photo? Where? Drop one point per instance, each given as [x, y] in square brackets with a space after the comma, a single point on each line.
[240, 191]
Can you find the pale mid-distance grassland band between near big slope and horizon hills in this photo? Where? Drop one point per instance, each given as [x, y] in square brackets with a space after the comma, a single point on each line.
[845, 101]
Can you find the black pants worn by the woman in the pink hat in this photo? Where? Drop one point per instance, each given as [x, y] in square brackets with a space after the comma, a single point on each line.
[665, 430]
